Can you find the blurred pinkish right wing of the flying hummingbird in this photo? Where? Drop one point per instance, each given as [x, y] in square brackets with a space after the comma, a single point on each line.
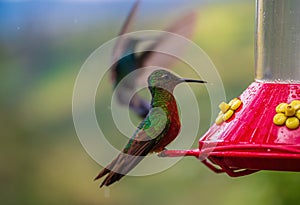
[184, 26]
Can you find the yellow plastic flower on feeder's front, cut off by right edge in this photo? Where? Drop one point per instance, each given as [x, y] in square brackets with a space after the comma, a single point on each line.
[288, 114]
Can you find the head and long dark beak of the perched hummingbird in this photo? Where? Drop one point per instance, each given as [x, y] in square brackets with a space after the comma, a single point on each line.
[166, 80]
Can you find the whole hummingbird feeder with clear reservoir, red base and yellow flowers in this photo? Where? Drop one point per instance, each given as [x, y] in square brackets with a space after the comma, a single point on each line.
[263, 132]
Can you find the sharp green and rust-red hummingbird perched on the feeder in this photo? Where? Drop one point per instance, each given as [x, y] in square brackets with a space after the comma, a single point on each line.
[159, 128]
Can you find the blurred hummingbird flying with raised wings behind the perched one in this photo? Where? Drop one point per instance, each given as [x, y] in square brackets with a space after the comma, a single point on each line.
[125, 60]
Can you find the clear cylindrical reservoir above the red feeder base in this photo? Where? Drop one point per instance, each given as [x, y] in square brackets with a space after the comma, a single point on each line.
[277, 49]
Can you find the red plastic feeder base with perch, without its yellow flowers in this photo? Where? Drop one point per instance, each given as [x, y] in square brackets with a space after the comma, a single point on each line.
[250, 141]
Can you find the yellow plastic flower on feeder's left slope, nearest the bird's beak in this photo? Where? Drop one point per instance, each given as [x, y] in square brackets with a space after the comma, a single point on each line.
[227, 110]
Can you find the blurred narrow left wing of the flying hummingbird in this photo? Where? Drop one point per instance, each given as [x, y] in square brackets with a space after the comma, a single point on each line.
[121, 42]
